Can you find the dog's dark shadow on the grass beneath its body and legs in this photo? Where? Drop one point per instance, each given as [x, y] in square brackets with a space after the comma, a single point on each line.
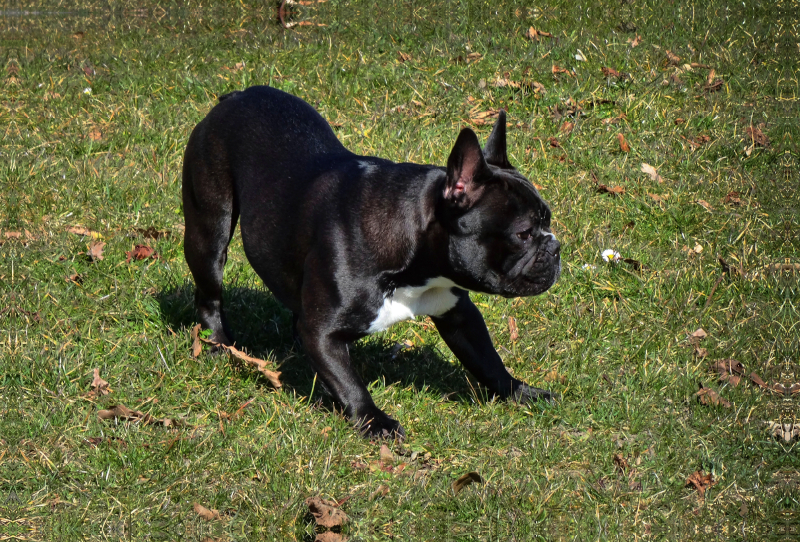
[263, 327]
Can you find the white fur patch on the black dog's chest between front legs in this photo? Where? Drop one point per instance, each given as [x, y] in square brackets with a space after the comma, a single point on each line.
[433, 299]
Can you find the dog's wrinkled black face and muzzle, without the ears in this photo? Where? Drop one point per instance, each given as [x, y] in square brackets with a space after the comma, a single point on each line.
[503, 244]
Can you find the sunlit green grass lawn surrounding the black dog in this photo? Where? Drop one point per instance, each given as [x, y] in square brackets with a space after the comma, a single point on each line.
[613, 341]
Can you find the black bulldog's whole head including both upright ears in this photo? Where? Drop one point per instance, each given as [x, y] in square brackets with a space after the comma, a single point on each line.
[499, 238]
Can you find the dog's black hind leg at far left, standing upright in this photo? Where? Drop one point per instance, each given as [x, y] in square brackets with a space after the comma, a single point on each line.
[211, 213]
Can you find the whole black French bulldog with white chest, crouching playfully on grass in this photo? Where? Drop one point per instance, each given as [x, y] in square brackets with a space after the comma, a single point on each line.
[352, 244]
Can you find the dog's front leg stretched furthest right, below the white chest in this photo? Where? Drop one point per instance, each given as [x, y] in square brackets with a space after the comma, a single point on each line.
[464, 331]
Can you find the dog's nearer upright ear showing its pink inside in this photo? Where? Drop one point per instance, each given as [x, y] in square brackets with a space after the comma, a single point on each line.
[466, 167]
